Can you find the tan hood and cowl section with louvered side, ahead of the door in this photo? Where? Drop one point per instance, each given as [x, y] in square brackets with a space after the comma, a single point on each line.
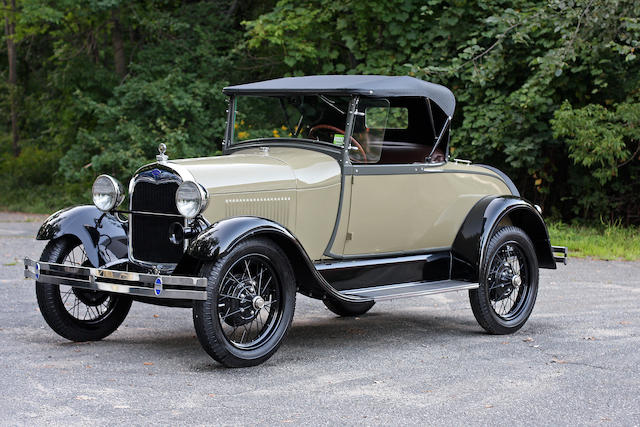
[297, 188]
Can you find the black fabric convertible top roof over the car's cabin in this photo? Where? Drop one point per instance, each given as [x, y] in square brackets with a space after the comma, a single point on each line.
[350, 85]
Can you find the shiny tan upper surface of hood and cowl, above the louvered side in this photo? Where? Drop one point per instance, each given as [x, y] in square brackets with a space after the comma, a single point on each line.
[251, 170]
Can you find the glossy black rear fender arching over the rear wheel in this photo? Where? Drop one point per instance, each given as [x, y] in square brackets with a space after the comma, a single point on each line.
[471, 242]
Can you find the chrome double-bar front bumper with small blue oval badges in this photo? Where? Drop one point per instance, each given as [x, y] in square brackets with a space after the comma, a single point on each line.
[122, 282]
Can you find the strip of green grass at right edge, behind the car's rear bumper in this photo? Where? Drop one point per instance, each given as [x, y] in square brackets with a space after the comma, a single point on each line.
[604, 241]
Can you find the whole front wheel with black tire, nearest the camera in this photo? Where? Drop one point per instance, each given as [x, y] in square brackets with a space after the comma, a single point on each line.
[232, 307]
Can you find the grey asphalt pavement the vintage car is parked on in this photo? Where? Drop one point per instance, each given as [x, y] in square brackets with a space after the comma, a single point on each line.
[407, 362]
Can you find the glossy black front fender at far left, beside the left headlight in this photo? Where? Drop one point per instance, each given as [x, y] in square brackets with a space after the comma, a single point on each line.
[103, 236]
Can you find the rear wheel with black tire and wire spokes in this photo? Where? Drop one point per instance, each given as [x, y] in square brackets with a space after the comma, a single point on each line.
[503, 303]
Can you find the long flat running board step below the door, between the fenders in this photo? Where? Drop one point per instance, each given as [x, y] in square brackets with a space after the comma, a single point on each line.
[412, 289]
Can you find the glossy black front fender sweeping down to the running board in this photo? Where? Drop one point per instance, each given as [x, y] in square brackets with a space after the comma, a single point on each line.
[221, 237]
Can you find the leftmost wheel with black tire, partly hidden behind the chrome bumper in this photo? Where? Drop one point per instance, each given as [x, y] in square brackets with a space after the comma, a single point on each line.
[106, 311]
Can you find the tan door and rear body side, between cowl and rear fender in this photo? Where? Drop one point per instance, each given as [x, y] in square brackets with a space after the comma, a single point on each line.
[417, 211]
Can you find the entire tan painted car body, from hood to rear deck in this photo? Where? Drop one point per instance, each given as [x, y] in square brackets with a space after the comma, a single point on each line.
[300, 189]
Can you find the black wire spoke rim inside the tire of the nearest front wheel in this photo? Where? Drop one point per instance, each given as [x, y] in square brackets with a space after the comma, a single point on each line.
[249, 301]
